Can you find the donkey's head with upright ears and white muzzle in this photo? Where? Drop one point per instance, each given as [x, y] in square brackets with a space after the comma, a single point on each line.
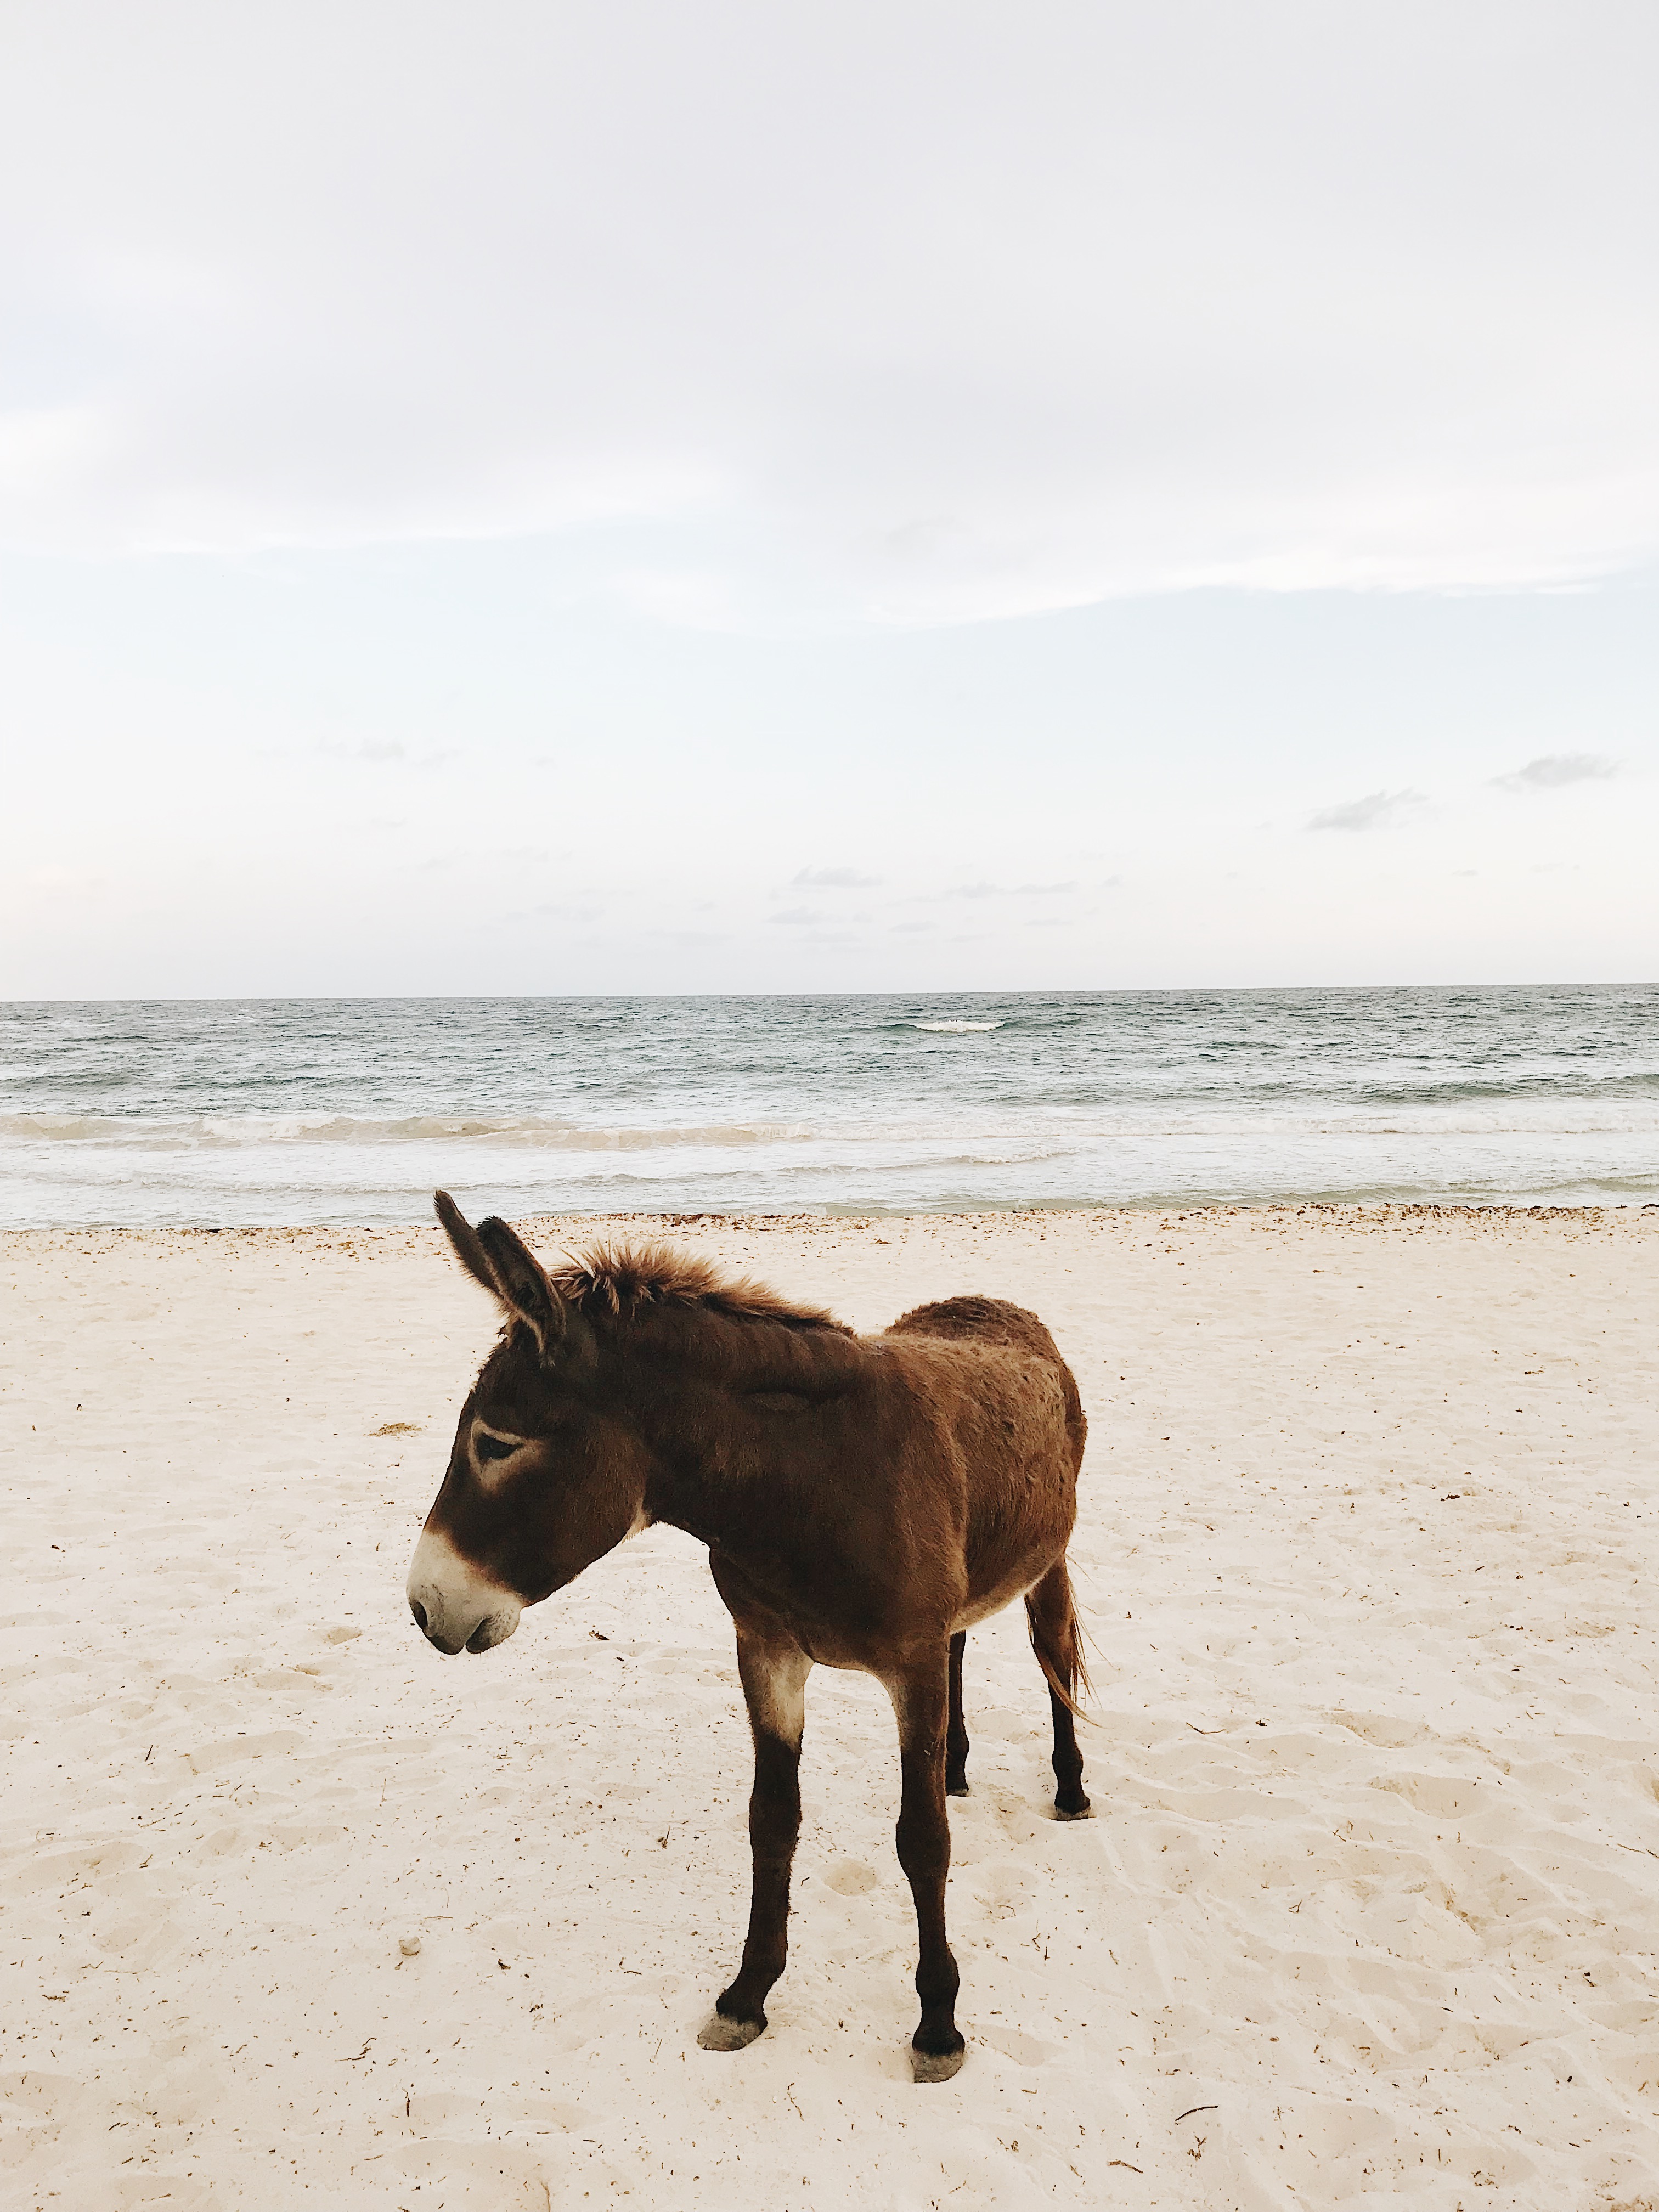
[541, 1479]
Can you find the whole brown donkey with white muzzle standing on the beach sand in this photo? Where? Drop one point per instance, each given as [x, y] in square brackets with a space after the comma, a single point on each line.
[864, 1499]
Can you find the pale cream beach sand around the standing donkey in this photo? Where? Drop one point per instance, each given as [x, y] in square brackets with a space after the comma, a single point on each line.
[1366, 1917]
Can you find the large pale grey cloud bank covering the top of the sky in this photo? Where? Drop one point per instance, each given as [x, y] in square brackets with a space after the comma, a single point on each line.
[505, 273]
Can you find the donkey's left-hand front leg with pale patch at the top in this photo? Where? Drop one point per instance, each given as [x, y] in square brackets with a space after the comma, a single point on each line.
[775, 1678]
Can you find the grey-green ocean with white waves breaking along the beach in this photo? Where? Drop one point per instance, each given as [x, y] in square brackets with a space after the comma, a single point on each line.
[351, 1112]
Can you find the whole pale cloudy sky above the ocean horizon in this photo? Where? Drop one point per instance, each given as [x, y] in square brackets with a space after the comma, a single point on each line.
[912, 497]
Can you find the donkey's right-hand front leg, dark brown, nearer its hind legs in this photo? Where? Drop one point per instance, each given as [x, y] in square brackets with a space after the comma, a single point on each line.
[921, 1702]
